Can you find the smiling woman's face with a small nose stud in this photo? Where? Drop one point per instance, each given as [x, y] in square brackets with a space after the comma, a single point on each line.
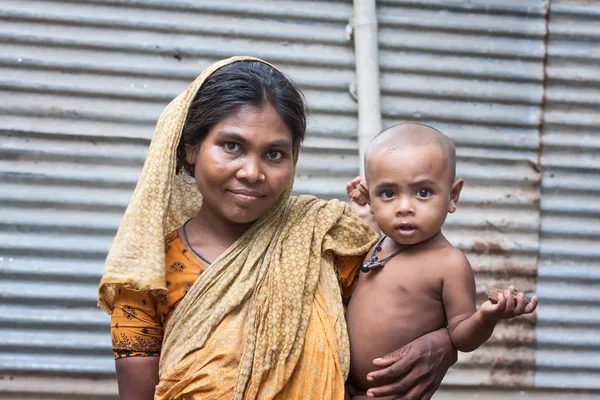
[244, 164]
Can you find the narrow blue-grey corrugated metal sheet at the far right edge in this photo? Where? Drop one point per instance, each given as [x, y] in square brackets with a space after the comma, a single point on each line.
[568, 350]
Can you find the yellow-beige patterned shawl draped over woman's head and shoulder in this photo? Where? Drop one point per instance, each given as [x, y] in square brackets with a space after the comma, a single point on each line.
[271, 273]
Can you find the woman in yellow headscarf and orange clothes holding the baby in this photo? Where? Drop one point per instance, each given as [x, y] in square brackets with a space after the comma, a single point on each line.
[235, 292]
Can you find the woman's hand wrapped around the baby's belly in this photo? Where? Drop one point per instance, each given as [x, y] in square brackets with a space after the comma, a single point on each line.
[416, 370]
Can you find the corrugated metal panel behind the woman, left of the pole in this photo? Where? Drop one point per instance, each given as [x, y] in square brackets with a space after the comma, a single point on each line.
[82, 84]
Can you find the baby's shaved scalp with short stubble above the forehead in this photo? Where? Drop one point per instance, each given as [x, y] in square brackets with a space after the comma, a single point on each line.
[411, 134]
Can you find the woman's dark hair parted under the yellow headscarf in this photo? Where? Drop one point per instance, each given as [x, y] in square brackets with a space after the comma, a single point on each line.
[242, 83]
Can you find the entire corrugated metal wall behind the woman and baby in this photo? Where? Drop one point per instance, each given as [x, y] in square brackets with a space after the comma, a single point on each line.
[82, 83]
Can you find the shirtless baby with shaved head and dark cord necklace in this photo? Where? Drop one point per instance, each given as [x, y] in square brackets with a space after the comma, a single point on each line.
[414, 281]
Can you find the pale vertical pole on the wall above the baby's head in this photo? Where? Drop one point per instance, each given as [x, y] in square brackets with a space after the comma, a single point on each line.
[367, 74]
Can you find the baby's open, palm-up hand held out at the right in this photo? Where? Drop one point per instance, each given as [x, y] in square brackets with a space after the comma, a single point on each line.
[507, 304]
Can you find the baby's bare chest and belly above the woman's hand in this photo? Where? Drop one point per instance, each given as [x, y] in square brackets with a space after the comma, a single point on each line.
[391, 307]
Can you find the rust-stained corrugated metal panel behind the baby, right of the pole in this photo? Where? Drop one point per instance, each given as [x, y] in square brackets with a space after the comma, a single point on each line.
[475, 71]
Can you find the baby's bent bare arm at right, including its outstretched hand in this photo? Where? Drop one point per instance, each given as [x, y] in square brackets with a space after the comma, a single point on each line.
[468, 328]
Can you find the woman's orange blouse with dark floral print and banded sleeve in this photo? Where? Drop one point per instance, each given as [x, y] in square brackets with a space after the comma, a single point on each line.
[138, 318]
